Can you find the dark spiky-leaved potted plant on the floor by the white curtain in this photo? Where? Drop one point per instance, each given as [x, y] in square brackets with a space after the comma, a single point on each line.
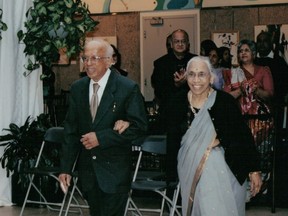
[22, 145]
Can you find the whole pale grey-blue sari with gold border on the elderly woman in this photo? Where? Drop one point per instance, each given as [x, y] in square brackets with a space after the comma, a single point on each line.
[217, 191]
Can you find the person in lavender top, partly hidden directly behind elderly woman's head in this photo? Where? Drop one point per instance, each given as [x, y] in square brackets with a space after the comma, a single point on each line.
[218, 82]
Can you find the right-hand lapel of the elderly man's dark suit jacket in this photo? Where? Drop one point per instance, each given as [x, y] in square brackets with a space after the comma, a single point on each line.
[107, 97]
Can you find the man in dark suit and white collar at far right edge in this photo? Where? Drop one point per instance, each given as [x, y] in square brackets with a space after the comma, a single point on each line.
[266, 56]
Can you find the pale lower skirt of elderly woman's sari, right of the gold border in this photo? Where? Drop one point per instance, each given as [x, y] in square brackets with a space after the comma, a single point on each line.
[218, 185]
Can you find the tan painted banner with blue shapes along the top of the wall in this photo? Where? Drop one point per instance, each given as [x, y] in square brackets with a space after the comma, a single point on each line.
[113, 6]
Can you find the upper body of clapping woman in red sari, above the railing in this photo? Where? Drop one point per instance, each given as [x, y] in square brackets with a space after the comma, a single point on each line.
[253, 86]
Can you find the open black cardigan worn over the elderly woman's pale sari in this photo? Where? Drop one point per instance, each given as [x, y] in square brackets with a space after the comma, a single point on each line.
[232, 132]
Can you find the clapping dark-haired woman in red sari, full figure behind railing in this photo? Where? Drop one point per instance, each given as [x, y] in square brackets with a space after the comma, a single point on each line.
[252, 86]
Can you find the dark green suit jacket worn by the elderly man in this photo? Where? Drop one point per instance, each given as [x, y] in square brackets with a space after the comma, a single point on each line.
[111, 161]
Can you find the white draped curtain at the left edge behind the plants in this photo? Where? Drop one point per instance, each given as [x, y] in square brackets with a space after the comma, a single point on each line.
[20, 96]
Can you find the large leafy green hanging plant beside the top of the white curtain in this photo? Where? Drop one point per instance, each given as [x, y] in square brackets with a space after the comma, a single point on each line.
[53, 25]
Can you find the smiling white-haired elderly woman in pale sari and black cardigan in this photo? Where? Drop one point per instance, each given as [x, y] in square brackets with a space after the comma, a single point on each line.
[216, 152]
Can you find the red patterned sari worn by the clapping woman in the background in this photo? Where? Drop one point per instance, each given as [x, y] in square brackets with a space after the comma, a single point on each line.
[255, 109]
